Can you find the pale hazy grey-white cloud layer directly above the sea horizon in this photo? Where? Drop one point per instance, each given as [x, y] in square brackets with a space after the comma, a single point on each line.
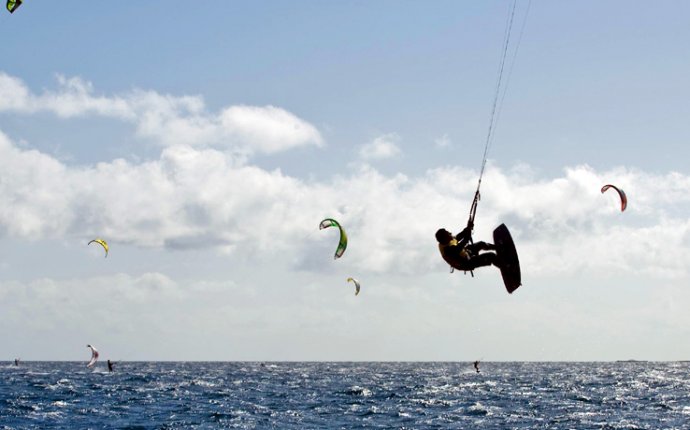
[152, 316]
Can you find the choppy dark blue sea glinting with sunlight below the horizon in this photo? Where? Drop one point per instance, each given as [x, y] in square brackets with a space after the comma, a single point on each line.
[66, 395]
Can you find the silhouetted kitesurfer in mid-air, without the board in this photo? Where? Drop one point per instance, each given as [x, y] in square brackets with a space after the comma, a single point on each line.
[462, 254]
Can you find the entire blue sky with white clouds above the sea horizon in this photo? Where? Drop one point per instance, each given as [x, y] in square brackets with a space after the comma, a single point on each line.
[205, 143]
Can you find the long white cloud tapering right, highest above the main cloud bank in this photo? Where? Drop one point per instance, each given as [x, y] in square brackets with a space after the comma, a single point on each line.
[168, 120]
